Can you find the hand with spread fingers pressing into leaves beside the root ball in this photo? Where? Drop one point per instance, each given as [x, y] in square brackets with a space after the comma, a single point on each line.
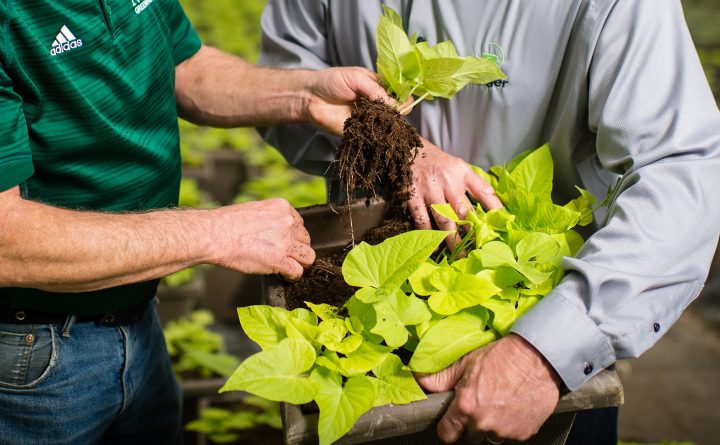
[442, 178]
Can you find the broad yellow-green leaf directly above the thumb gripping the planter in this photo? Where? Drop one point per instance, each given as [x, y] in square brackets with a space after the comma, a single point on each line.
[450, 339]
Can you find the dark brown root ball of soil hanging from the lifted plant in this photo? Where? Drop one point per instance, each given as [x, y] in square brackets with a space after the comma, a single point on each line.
[377, 150]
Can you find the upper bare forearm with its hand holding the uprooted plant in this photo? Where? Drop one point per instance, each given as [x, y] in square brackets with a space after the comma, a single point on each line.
[217, 89]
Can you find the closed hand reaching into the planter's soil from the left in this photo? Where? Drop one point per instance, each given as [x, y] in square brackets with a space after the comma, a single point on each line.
[263, 237]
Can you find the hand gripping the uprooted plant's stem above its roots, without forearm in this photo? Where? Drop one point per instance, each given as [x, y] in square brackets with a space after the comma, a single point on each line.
[335, 89]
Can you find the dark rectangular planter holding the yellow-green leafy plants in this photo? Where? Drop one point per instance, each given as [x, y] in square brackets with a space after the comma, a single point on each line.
[413, 423]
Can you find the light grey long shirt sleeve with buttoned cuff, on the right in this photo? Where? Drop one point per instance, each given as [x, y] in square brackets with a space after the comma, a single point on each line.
[657, 125]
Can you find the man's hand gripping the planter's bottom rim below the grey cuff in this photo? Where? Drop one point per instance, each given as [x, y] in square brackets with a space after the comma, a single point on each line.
[505, 390]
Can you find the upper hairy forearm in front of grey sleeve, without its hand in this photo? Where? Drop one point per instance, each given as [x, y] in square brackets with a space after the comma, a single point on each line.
[217, 89]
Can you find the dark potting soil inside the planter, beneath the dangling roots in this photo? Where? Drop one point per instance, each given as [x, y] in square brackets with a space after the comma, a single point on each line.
[323, 282]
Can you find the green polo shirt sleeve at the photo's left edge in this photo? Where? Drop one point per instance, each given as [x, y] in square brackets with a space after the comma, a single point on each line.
[16, 164]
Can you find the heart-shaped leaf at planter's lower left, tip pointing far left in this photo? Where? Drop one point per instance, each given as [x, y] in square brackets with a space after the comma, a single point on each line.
[276, 373]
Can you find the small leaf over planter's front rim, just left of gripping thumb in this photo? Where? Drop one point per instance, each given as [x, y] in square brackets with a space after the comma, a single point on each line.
[395, 383]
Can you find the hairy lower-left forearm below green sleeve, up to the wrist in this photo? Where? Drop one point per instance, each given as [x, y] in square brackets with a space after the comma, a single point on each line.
[72, 251]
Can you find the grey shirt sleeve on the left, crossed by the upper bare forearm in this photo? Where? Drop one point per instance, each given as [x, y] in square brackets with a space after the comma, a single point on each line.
[293, 36]
